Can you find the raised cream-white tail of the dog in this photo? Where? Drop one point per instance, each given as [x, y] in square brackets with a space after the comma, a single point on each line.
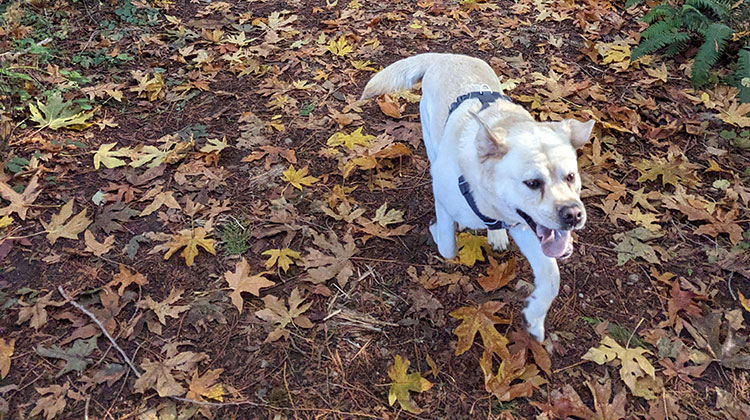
[400, 75]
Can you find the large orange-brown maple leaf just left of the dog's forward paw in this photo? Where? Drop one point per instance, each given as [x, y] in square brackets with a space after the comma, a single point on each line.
[482, 319]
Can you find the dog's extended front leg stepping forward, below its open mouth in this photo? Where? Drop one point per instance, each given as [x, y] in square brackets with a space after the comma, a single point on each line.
[546, 280]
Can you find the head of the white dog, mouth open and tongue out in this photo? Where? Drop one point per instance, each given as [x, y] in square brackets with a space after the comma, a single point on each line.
[532, 169]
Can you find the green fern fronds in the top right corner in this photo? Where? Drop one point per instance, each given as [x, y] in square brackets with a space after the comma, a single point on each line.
[672, 27]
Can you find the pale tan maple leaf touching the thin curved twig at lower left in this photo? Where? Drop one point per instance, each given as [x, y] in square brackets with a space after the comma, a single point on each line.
[158, 375]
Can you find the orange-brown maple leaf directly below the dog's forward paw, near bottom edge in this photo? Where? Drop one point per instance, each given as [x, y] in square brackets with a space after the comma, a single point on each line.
[504, 384]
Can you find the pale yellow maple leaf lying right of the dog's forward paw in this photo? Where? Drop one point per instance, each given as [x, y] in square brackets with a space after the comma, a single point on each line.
[634, 364]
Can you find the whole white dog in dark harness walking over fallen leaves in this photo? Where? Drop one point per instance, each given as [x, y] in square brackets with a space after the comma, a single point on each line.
[494, 167]
